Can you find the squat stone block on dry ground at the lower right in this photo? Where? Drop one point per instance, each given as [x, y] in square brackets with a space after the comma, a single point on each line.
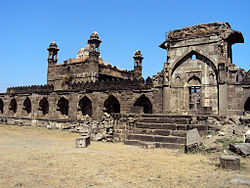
[230, 162]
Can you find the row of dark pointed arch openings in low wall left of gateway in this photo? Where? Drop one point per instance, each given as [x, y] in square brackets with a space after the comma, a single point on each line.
[111, 105]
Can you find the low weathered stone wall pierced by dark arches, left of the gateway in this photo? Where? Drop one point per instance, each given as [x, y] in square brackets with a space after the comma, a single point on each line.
[126, 99]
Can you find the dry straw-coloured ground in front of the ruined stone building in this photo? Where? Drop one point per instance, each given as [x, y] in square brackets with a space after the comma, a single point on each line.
[38, 157]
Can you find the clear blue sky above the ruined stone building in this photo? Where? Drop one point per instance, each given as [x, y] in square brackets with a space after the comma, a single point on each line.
[124, 26]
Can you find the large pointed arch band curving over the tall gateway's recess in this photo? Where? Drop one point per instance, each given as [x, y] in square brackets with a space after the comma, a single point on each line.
[199, 56]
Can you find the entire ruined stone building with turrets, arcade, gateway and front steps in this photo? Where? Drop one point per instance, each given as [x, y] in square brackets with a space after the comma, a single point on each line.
[198, 80]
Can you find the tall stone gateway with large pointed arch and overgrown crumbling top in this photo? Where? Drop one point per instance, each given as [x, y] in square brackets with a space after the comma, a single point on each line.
[199, 71]
